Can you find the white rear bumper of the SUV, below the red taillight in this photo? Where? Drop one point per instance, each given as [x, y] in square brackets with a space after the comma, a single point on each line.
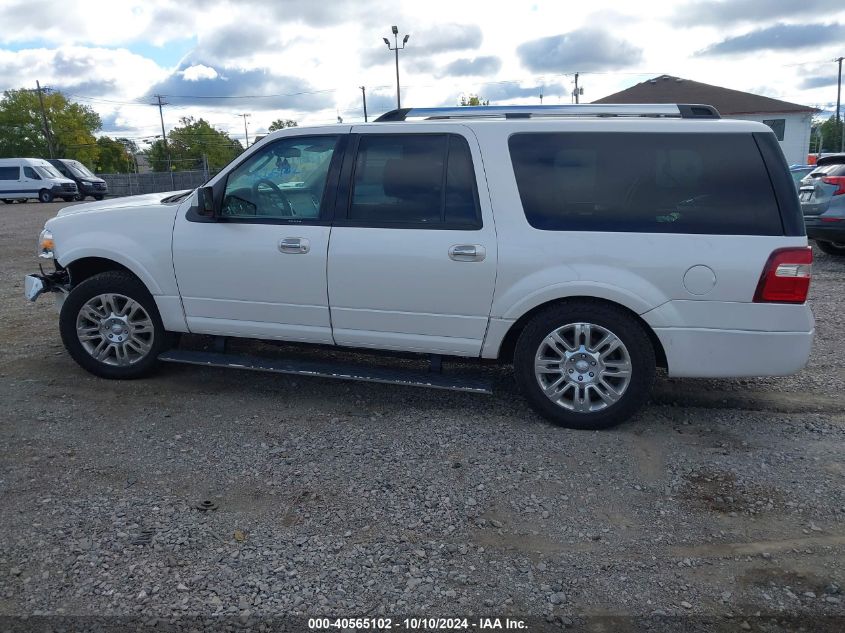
[704, 353]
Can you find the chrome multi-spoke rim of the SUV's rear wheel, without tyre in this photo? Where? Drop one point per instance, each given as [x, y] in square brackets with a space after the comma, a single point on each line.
[583, 367]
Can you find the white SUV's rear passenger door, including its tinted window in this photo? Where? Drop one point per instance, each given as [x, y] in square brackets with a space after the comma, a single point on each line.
[412, 258]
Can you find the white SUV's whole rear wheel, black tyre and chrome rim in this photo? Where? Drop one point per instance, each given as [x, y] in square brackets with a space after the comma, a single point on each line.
[585, 364]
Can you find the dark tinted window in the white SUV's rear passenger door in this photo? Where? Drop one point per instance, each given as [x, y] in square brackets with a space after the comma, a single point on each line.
[414, 179]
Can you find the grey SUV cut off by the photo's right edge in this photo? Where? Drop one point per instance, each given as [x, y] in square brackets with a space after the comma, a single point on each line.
[823, 206]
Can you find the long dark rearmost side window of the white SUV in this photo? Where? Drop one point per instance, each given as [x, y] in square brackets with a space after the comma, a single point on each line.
[640, 182]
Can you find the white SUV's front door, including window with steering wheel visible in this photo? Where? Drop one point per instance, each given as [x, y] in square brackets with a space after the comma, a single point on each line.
[259, 271]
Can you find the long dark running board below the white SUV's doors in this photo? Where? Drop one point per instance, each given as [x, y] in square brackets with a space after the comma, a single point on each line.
[342, 371]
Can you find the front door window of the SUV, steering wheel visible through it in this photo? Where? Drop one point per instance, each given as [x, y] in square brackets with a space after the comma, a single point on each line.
[284, 181]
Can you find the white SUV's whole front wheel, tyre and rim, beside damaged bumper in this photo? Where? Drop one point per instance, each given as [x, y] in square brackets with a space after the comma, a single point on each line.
[111, 327]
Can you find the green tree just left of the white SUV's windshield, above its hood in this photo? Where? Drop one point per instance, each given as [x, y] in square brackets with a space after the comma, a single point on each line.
[189, 142]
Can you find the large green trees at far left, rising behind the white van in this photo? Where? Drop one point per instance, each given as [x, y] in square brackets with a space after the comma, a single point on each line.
[72, 126]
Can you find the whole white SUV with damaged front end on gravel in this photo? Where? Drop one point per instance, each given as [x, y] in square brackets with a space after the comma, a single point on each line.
[586, 245]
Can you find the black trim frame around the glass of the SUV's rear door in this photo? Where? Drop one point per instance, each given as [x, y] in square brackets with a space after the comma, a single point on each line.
[347, 181]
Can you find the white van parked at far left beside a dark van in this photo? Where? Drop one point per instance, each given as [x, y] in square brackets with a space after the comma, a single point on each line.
[24, 178]
